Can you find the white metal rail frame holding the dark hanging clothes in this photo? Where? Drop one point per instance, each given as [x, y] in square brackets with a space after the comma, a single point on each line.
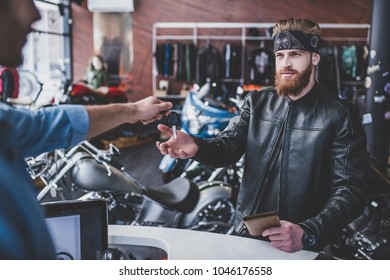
[191, 33]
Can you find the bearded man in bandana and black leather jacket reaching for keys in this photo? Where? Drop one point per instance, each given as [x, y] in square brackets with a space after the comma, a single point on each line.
[305, 149]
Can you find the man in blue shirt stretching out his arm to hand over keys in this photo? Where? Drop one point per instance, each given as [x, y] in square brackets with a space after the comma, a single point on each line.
[25, 133]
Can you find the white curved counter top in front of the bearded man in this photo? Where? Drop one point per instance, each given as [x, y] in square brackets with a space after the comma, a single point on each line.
[181, 244]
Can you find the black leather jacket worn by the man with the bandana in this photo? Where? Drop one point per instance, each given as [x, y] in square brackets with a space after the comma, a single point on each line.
[324, 160]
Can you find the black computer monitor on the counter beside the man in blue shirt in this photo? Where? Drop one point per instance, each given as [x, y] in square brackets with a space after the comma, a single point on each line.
[78, 228]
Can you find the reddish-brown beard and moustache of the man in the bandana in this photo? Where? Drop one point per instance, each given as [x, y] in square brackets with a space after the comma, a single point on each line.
[294, 86]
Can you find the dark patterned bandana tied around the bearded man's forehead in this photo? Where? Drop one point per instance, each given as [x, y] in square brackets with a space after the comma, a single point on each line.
[296, 40]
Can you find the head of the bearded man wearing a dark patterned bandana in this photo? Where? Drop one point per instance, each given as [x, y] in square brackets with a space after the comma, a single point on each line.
[296, 48]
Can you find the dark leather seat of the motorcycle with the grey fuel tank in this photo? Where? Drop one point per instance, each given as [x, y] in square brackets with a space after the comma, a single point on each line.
[180, 194]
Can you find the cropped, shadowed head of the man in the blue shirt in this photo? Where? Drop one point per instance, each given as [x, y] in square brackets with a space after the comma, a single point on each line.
[16, 17]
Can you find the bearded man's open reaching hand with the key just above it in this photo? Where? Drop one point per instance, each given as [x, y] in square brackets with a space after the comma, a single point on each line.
[180, 145]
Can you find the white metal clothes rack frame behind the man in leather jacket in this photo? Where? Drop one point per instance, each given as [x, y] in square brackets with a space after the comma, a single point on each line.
[206, 31]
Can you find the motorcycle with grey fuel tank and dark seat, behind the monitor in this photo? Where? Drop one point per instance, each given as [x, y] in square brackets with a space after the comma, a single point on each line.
[86, 172]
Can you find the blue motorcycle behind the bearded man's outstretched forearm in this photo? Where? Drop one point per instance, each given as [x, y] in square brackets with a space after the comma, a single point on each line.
[205, 113]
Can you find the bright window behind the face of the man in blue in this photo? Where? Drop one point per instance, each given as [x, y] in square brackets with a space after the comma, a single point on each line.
[47, 53]
